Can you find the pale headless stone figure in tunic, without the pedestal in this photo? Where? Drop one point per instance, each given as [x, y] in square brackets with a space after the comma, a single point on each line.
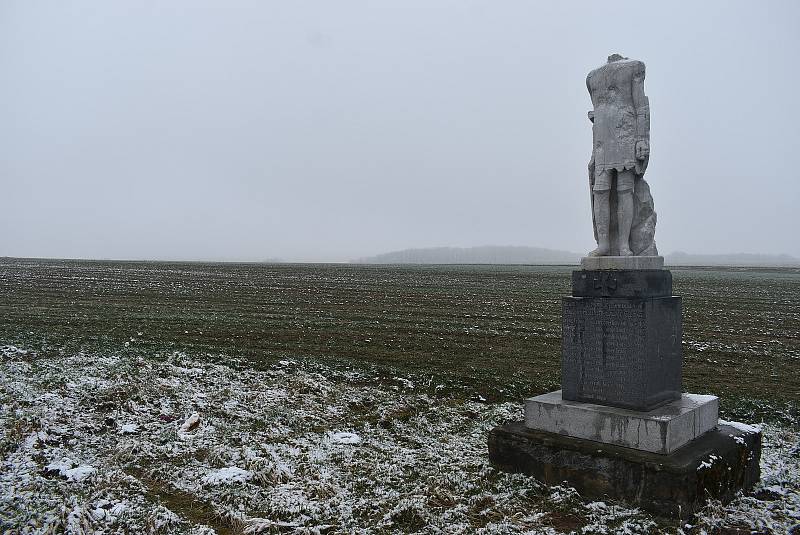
[622, 207]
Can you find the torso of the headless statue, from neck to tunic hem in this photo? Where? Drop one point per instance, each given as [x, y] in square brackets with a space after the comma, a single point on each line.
[614, 129]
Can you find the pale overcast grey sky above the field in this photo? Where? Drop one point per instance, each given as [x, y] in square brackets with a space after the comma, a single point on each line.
[332, 130]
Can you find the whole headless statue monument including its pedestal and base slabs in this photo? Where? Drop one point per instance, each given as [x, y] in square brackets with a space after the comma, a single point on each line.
[621, 401]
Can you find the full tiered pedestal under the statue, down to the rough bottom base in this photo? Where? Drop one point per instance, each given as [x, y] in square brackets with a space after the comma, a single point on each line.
[620, 427]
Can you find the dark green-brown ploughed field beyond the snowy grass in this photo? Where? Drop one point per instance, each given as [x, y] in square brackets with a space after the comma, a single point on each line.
[490, 331]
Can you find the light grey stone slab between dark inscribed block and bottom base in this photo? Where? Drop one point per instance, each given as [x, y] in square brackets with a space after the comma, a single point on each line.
[662, 430]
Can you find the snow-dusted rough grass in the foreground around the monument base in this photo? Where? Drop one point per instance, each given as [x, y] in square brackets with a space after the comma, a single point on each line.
[115, 443]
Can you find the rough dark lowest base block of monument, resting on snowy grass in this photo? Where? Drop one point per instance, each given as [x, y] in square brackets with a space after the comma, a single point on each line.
[715, 466]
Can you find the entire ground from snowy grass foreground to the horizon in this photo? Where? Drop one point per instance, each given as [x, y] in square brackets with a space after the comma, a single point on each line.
[254, 398]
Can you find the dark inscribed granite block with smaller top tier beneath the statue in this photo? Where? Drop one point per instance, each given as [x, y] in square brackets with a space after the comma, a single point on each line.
[622, 339]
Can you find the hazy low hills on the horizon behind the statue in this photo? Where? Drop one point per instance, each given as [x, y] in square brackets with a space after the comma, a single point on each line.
[499, 254]
